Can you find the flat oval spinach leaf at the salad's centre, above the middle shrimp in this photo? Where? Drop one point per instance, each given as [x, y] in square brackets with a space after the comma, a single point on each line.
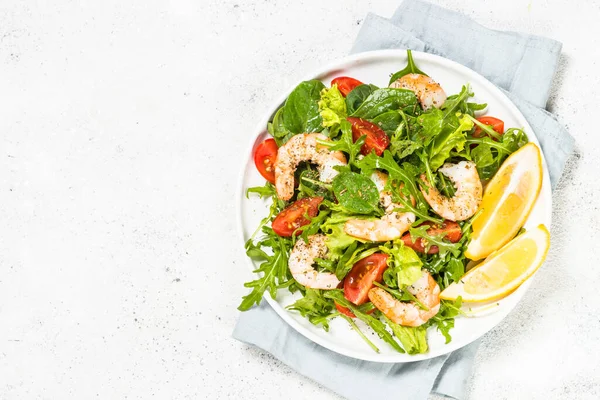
[356, 193]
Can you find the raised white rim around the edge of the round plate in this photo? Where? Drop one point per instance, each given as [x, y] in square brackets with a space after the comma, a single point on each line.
[342, 63]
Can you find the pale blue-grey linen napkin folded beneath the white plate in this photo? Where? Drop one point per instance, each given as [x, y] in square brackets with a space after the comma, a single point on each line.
[523, 65]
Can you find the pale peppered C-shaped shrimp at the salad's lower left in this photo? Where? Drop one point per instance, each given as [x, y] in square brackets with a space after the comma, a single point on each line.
[301, 261]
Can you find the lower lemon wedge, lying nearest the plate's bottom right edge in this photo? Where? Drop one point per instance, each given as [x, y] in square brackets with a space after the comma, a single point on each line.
[504, 270]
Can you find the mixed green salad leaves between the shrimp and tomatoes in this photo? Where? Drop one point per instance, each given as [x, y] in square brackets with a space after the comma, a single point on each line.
[420, 142]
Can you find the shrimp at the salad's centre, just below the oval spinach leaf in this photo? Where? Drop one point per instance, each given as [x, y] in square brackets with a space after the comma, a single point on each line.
[389, 227]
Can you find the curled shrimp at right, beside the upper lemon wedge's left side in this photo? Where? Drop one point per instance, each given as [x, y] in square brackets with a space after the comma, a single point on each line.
[466, 199]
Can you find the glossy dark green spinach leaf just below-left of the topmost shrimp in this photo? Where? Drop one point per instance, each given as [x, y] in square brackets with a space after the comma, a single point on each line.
[386, 99]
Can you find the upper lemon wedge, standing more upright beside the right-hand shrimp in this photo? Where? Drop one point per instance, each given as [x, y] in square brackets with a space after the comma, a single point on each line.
[507, 202]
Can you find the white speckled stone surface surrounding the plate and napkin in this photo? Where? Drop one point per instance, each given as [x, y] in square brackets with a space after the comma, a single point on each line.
[122, 127]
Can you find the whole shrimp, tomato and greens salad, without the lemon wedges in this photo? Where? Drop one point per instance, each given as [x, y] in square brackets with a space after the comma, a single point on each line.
[373, 191]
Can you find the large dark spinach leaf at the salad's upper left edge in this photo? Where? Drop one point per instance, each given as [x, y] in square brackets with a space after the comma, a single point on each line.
[301, 110]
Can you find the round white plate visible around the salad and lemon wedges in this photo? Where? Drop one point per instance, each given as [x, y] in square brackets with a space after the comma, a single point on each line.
[375, 67]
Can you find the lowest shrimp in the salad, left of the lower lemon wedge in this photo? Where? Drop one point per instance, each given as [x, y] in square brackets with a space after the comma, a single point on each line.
[426, 291]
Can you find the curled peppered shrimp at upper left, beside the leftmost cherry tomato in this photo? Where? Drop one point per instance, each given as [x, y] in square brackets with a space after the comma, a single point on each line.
[304, 147]
